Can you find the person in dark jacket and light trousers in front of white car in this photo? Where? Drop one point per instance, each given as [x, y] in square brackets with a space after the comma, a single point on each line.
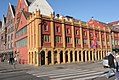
[111, 64]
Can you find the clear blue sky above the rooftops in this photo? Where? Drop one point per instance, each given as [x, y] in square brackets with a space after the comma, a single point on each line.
[102, 10]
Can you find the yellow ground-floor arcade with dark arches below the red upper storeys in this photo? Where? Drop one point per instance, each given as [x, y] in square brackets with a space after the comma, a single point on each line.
[48, 56]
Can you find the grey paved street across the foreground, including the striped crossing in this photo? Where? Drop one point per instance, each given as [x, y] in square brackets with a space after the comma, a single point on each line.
[76, 71]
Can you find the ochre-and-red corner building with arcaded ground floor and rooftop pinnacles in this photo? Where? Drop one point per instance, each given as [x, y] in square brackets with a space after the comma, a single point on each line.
[59, 40]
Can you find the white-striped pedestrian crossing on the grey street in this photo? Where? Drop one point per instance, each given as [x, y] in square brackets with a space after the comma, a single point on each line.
[67, 74]
